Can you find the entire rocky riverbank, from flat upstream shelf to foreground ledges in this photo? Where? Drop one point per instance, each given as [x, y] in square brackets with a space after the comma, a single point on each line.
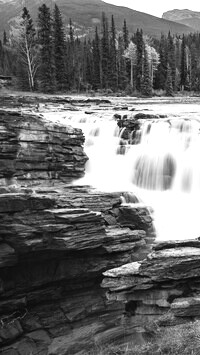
[77, 268]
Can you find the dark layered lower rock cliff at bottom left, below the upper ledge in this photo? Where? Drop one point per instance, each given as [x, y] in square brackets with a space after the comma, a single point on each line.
[54, 245]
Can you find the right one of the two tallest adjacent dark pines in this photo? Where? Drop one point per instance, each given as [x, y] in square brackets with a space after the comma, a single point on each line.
[59, 50]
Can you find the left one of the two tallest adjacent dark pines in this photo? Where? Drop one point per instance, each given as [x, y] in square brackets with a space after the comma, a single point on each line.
[47, 65]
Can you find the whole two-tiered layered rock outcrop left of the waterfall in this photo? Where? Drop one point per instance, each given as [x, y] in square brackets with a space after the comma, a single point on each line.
[56, 240]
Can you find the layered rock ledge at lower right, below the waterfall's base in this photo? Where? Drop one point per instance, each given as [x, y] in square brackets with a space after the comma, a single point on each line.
[164, 287]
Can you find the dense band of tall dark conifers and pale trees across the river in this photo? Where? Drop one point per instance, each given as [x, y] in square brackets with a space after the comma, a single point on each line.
[48, 57]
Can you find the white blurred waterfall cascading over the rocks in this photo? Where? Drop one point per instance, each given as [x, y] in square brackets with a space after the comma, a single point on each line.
[162, 169]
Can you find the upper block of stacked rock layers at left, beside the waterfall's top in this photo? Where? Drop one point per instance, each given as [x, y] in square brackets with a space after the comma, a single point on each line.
[34, 150]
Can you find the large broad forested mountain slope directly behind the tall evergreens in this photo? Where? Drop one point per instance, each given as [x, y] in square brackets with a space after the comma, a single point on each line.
[87, 13]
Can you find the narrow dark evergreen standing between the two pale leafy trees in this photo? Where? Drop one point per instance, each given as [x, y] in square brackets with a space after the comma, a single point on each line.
[139, 65]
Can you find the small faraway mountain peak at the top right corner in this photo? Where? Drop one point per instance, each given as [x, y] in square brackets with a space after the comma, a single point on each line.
[185, 17]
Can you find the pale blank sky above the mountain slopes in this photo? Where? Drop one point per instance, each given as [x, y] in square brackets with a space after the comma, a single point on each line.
[156, 7]
